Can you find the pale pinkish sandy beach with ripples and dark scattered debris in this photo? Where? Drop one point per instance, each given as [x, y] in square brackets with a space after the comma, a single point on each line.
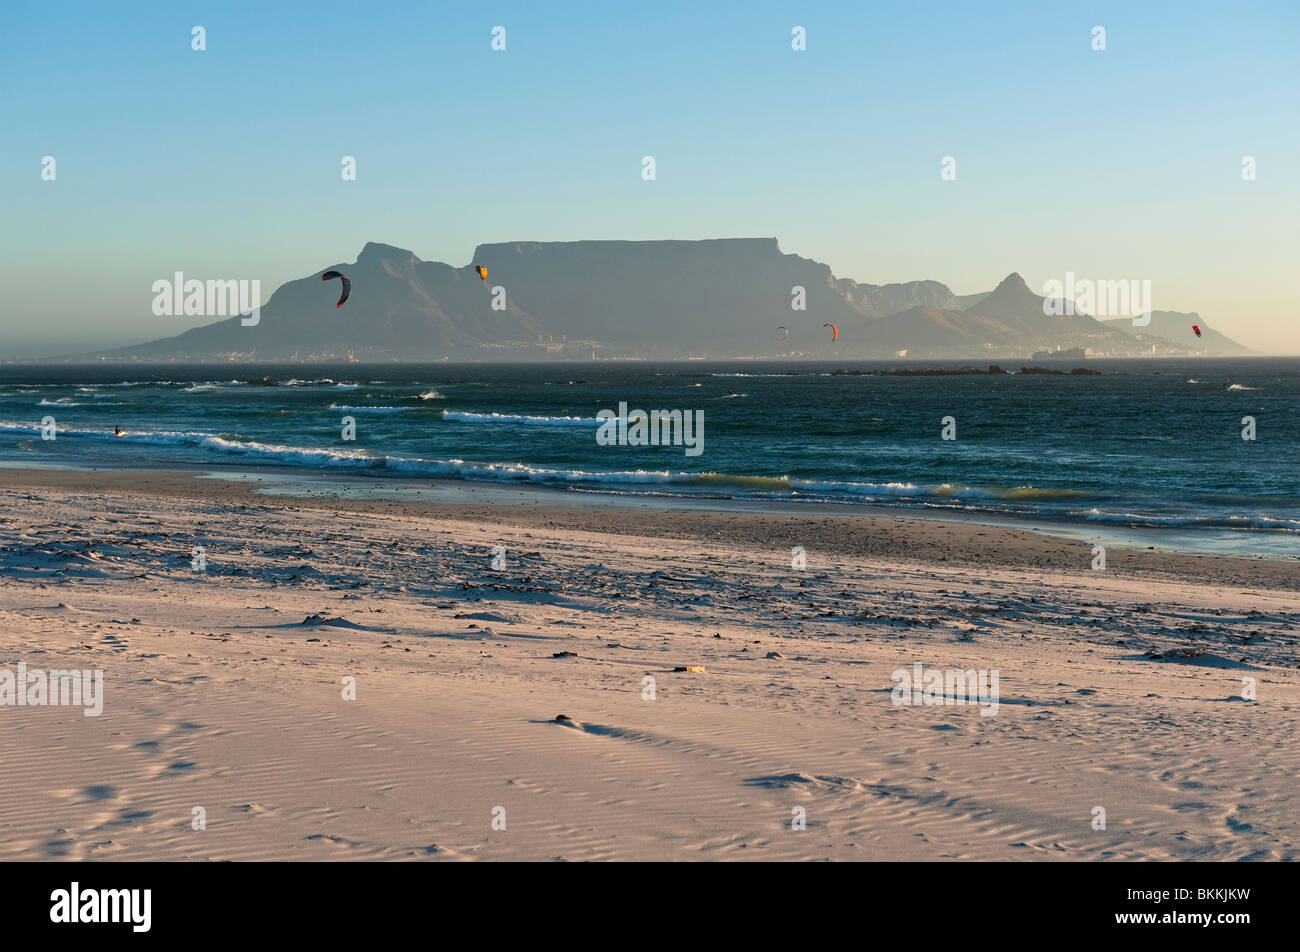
[380, 680]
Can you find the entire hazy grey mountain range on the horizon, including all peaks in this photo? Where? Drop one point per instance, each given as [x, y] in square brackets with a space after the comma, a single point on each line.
[666, 300]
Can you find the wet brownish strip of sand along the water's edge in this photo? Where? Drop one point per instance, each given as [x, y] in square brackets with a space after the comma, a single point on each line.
[833, 530]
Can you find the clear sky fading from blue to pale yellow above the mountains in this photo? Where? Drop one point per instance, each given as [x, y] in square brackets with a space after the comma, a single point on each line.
[1124, 163]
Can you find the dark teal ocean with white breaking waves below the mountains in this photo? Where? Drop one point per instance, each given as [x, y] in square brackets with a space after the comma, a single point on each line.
[1146, 445]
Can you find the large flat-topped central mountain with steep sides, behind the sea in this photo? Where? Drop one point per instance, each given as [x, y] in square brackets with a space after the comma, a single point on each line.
[674, 298]
